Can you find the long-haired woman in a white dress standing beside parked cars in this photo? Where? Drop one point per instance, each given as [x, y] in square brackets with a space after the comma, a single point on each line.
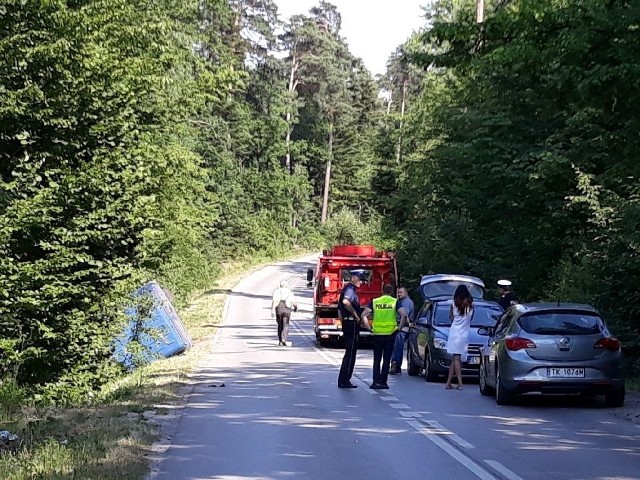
[461, 313]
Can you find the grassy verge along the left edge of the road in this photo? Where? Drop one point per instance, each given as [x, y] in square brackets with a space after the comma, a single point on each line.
[111, 438]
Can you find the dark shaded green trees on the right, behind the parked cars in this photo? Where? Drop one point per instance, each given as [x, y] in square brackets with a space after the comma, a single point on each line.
[521, 161]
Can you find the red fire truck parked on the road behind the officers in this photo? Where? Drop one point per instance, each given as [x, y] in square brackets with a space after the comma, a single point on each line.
[333, 271]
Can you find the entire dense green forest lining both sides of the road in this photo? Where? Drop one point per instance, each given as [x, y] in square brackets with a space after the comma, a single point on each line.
[143, 140]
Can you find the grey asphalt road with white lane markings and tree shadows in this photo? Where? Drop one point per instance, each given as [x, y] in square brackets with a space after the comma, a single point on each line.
[280, 415]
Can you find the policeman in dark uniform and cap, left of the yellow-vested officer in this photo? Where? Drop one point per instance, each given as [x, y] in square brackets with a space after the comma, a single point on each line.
[350, 312]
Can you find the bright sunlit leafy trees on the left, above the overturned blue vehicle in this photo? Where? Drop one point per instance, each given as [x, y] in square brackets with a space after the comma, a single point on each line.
[99, 186]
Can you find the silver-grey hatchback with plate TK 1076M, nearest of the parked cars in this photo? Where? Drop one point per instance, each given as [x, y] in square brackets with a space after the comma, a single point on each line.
[557, 348]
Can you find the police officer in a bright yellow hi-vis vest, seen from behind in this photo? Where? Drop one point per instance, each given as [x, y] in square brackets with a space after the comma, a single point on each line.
[384, 329]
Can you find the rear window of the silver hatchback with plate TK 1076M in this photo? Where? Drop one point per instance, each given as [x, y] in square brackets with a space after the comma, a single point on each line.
[561, 323]
